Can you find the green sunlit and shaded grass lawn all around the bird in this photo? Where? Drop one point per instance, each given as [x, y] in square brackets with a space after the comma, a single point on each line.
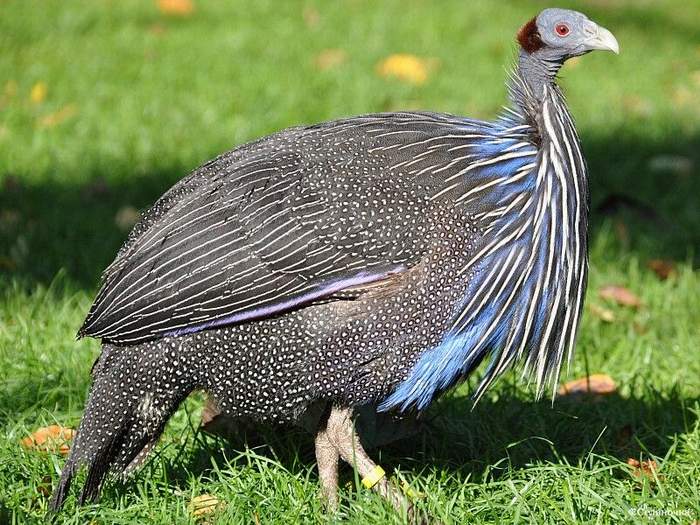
[134, 99]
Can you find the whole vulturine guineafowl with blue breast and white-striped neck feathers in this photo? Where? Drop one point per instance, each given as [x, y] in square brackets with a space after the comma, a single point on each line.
[372, 261]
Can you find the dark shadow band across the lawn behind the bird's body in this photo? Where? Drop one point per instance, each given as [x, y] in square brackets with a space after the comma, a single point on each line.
[648, 188]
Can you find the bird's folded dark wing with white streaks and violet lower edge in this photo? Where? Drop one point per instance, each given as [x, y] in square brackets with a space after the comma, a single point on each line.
[270, 226]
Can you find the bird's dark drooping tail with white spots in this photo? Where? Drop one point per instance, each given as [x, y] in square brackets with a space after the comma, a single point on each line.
[130, 401]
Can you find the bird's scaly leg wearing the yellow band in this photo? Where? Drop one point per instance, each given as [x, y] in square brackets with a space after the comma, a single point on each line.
[340, 430]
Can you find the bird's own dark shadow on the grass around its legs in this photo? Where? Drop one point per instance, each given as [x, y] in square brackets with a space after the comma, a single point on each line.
[478, 445]
